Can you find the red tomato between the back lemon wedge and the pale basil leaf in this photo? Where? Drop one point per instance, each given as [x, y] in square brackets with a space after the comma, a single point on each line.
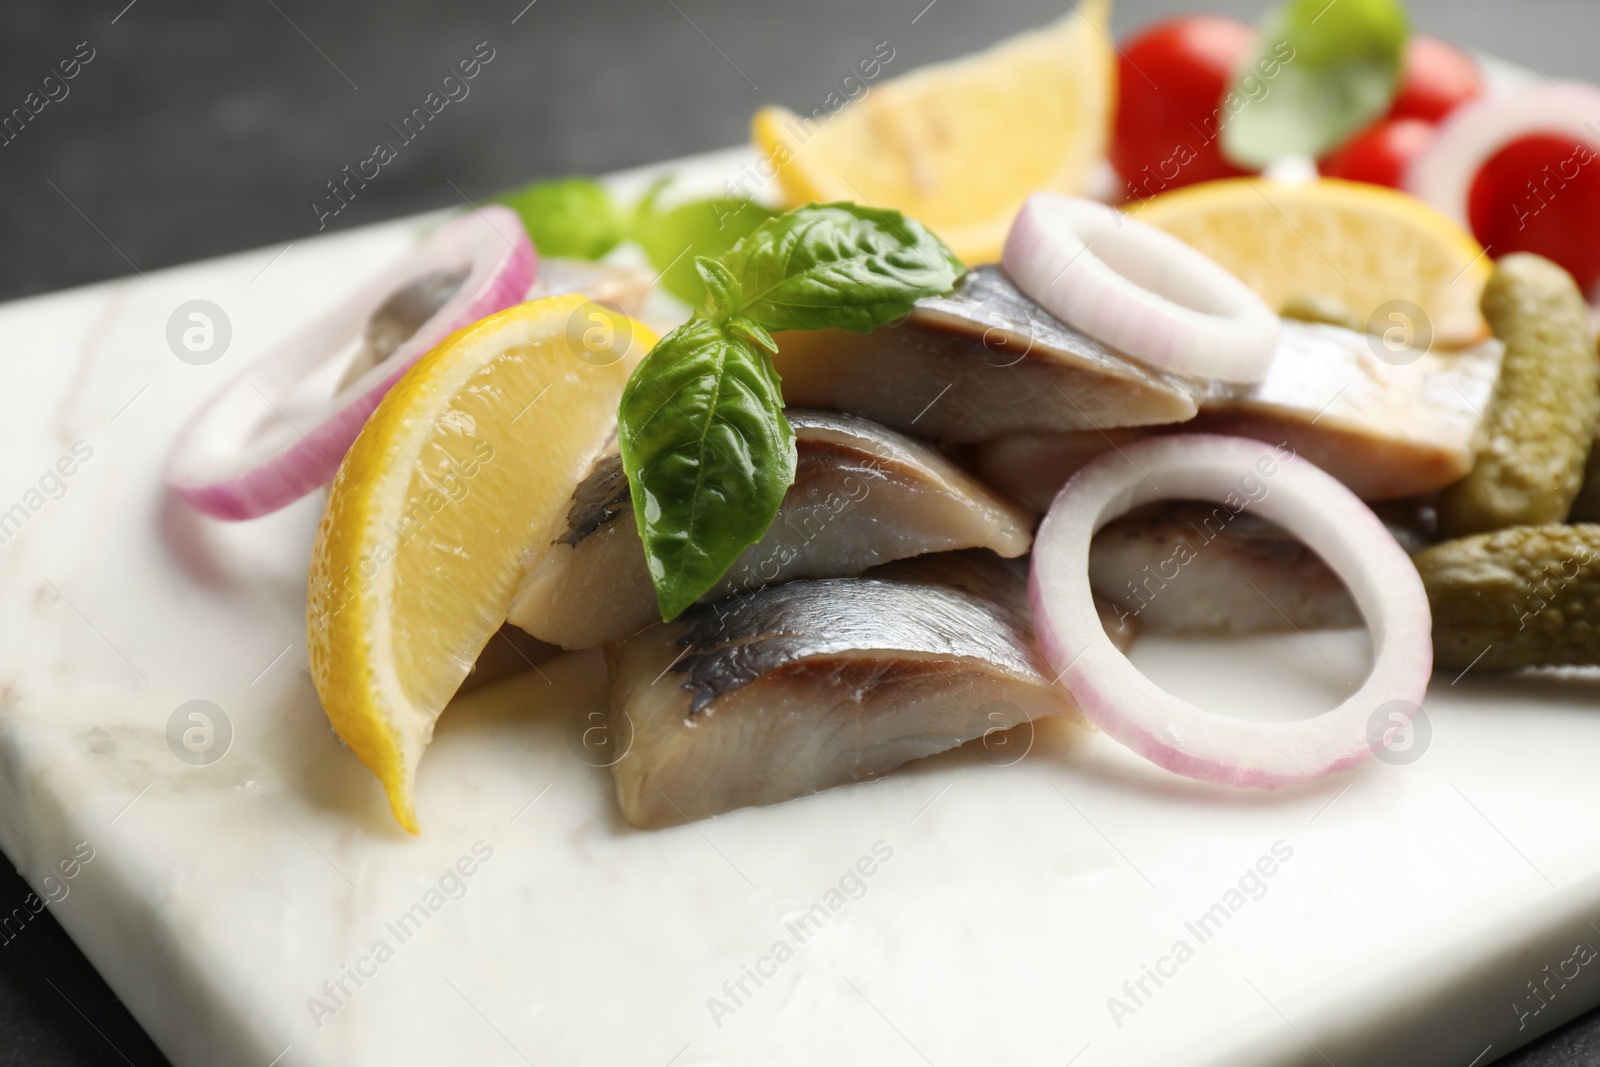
[1172, 82]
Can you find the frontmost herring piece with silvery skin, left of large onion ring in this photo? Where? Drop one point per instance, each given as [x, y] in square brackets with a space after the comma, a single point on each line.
[817, 684]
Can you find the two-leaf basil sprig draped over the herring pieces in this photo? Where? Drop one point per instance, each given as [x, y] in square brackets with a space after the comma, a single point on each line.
[706, 447]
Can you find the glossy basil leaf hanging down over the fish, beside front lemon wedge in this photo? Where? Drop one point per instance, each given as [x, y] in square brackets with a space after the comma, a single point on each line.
[708, 454]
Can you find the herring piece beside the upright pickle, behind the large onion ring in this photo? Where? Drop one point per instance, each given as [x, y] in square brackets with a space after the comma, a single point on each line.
[1386, 430]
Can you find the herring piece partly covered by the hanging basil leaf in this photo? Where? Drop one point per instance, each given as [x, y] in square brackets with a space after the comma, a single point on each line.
[863, 497]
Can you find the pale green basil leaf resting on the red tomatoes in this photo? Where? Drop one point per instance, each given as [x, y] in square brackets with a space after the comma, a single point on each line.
[1324, 73]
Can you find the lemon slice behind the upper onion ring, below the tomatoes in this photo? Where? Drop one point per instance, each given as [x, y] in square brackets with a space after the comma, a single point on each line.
[1391, 260]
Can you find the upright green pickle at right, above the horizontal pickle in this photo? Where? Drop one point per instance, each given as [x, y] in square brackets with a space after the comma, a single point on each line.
[1542, 423]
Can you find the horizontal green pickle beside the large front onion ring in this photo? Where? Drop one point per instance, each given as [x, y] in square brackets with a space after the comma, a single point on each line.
[1522, 597]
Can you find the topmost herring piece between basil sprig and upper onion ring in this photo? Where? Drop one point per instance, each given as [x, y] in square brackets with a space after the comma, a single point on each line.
[975, 364]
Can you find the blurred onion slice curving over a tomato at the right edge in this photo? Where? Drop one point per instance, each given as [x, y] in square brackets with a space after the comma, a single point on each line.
[1478, 132]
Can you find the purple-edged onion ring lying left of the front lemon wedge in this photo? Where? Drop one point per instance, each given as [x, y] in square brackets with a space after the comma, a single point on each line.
[281, 430]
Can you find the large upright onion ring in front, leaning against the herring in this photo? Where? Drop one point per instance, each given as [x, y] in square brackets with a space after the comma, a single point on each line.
[1167, 730]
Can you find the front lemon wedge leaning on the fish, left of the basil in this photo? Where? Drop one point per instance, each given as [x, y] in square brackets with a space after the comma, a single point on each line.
[471, 458]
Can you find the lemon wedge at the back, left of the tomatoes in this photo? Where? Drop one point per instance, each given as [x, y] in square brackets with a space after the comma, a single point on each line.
[959, 146]
